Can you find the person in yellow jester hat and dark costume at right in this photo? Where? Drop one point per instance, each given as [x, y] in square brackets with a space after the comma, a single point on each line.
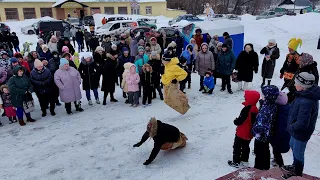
[291, 65]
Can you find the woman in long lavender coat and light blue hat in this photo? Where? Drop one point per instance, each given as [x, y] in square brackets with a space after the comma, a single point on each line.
[68, 80]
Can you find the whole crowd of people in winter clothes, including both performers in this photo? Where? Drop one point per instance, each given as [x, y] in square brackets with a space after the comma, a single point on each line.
[141, 65]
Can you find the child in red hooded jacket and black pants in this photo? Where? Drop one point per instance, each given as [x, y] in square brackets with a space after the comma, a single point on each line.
[241, 148]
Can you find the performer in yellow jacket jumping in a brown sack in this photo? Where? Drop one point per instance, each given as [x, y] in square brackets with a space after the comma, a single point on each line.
[173, 97]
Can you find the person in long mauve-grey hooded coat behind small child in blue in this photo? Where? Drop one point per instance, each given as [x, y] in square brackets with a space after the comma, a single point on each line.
[205, 61]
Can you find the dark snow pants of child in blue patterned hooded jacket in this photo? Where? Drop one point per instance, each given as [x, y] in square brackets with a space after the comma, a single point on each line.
[262, 151]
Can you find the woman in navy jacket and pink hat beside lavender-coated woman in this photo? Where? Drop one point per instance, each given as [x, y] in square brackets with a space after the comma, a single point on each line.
[42, 82]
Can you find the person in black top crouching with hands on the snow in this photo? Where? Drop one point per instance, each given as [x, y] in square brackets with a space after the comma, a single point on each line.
[165, 137]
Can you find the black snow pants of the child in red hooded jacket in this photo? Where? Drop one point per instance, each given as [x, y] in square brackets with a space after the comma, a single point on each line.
[241, 150]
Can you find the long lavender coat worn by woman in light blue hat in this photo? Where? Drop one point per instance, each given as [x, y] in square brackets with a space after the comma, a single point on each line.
[68, 82]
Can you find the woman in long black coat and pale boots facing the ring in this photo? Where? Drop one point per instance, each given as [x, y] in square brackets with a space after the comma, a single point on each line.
[247, 63]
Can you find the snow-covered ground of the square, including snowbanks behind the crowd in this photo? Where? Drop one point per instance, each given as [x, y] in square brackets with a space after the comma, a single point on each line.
[97, 144]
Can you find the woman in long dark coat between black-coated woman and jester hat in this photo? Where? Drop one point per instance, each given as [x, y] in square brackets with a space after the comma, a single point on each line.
[272, 53]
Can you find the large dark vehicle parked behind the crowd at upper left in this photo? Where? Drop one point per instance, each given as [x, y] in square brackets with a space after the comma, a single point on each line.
[44, 27]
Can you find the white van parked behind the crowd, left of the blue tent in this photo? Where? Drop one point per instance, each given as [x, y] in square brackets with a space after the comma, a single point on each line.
[115, 27]
